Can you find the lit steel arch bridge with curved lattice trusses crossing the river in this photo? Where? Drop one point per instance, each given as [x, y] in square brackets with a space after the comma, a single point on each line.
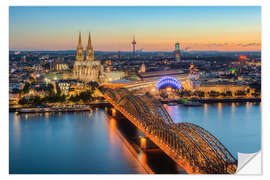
[192, 147]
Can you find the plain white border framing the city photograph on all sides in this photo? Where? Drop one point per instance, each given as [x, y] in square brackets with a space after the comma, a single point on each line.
[4, 76]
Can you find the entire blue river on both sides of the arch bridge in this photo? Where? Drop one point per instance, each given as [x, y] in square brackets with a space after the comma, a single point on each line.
[91, 142]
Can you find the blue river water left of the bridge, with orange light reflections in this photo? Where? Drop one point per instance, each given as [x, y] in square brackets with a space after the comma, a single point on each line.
[69, 143]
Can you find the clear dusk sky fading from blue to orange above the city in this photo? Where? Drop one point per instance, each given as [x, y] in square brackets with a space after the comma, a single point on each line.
[155, 28]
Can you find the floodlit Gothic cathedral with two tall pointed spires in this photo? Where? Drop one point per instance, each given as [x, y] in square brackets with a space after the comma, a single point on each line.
[86, 68]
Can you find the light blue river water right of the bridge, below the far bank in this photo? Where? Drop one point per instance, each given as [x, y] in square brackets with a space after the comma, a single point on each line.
[238, 126]
